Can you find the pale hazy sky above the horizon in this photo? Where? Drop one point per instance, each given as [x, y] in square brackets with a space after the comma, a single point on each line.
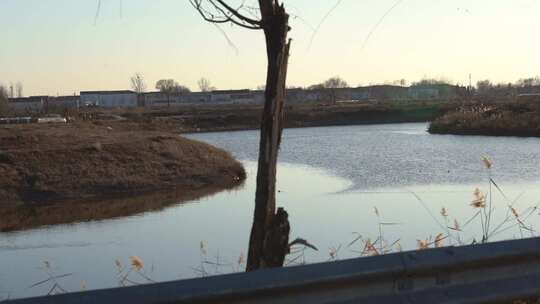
[60, 47]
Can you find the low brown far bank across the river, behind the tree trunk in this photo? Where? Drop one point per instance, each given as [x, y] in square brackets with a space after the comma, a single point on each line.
[188, 119]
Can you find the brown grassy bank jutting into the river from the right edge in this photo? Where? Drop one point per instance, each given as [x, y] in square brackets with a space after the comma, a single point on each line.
[511, 119]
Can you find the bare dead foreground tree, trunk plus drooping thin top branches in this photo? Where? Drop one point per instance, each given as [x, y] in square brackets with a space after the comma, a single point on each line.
[269, 237]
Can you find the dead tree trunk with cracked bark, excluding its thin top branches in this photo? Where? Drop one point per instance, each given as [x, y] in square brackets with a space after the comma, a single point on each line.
[268, 243]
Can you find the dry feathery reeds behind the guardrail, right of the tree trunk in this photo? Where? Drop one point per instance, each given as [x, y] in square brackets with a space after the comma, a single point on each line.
[451, 229]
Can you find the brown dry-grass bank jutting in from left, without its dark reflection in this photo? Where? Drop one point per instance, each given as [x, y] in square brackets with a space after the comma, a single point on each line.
[43, 164]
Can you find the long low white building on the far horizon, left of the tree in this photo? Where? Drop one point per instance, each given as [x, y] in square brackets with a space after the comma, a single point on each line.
[109, 99]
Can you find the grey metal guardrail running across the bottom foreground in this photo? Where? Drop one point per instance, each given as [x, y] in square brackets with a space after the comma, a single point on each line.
[490, 273]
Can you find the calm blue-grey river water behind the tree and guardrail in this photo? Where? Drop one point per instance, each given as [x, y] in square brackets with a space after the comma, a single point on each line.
[327, 202]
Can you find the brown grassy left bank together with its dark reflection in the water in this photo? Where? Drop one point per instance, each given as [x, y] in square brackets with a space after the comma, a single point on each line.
[65, 173]
